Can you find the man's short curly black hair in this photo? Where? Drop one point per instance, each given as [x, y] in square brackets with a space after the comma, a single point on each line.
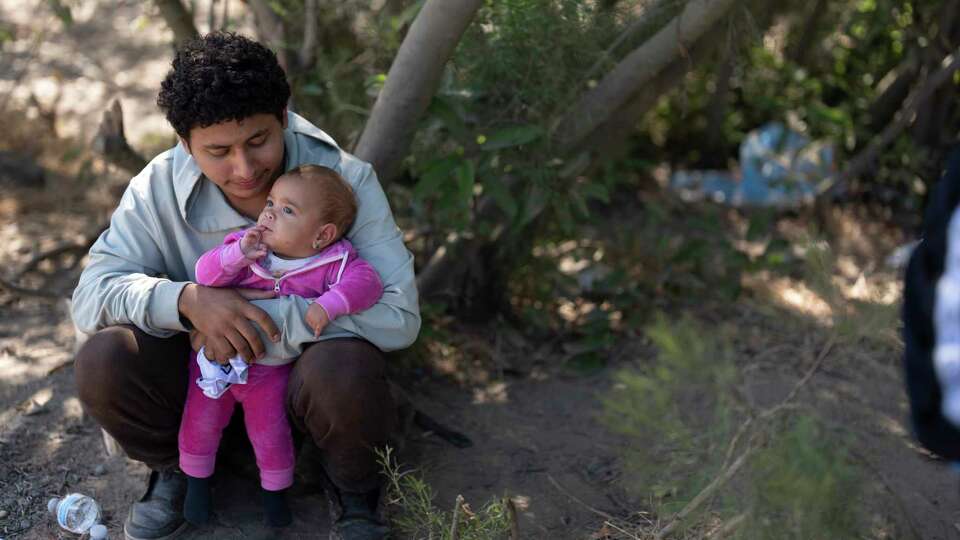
[220, 77]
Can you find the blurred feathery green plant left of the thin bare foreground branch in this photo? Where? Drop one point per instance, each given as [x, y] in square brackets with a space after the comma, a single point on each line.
[678, 411]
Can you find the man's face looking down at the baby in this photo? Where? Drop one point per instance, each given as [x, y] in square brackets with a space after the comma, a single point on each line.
[241, 157]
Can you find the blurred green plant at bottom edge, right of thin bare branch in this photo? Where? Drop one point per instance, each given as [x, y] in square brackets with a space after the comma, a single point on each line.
[803, 485]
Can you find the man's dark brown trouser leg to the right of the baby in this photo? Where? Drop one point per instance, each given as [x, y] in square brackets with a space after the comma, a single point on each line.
[339, 395]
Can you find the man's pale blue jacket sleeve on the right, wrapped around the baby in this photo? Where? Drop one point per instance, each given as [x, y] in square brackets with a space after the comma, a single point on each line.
[394, 320]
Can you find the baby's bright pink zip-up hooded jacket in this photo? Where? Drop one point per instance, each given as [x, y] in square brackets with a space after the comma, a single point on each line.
[337, 279]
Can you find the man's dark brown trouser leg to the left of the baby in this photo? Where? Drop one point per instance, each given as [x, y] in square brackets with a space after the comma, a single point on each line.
[135, 385]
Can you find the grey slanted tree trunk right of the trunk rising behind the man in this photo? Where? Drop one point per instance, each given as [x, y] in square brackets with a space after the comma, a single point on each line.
[669, 45]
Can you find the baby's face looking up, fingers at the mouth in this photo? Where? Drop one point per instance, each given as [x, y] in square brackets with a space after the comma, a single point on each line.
[291, 219]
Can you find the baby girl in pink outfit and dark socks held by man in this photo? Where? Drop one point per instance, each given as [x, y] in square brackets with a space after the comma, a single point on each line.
[295, 248]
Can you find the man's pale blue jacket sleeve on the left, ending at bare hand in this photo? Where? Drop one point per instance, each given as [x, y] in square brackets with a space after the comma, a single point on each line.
[123, 281]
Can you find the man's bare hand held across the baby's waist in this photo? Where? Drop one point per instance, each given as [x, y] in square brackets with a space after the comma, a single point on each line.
[223, 317]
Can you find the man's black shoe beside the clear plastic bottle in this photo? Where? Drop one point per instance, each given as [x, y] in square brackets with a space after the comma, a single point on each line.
[158, 515]
